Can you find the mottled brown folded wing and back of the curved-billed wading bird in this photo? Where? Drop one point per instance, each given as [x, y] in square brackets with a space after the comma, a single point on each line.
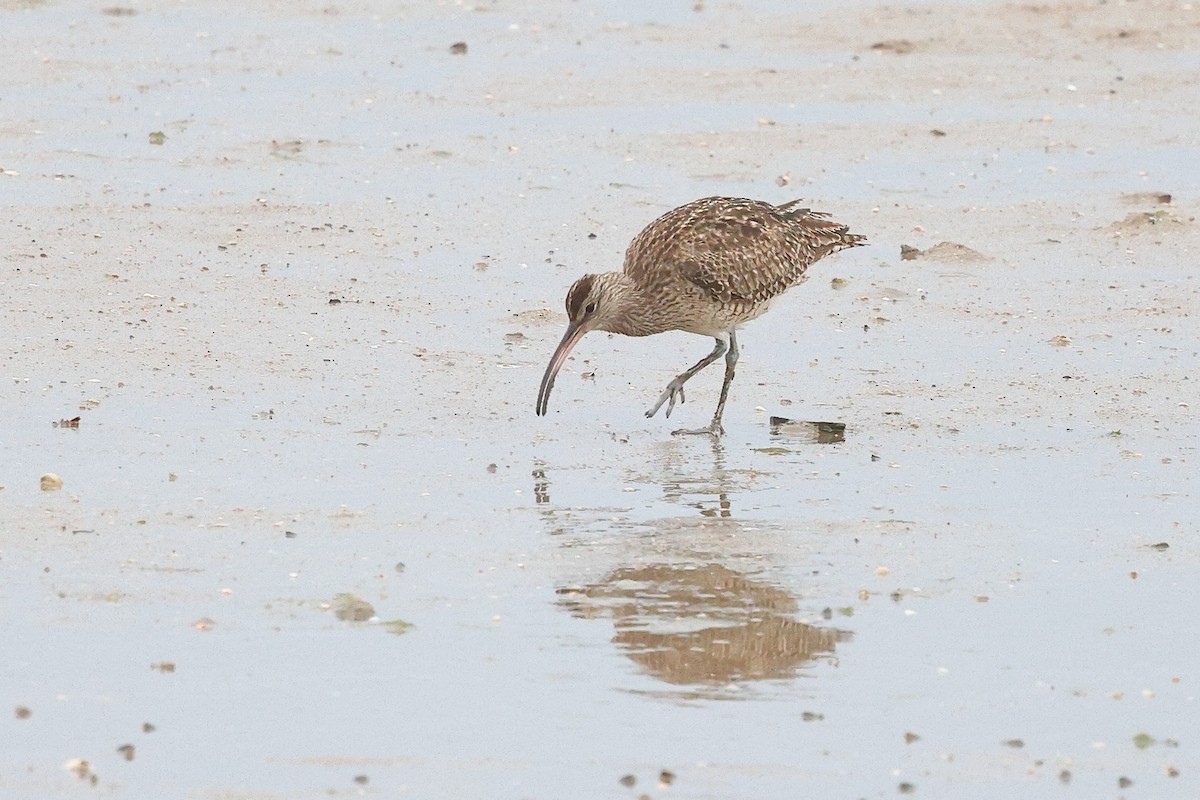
[735, 250]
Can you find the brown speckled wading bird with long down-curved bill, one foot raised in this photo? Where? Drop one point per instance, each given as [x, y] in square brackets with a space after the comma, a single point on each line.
[705, 268]
